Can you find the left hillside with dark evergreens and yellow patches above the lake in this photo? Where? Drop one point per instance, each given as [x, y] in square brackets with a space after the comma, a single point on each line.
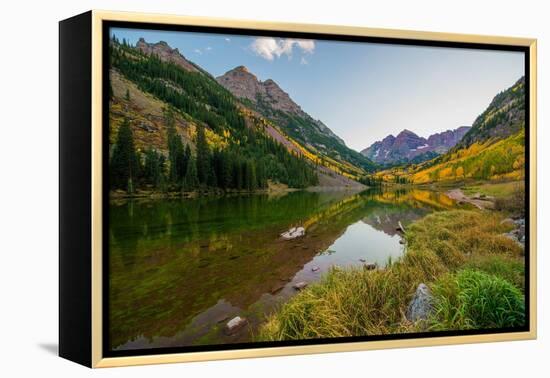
[177, 128]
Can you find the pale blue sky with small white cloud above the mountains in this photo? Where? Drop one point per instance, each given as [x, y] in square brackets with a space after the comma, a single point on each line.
[362, 91]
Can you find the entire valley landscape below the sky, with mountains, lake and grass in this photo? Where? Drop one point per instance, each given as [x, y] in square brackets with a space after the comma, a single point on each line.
[235, 216]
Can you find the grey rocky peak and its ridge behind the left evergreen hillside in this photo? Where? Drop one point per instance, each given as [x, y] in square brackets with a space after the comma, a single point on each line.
[268, 99]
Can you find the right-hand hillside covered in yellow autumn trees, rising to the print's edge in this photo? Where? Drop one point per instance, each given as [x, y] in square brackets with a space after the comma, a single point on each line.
[493, 149]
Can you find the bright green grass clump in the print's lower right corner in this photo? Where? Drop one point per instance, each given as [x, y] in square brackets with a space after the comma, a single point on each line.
[472, 299]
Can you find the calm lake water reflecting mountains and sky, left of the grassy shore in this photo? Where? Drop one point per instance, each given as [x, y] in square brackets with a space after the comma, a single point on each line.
[180, 269]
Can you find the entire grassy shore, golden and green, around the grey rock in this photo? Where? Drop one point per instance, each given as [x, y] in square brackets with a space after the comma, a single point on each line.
[474, 272]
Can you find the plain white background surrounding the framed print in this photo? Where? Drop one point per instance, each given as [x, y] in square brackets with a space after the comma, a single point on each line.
[28, 188]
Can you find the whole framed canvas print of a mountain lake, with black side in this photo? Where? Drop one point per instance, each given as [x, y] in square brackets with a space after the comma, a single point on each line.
[235, 189]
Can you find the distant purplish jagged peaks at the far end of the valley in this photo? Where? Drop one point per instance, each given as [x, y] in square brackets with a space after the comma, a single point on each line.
[408, 147]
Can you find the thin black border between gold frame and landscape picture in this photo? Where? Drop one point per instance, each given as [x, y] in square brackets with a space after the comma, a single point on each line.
[107, 25]
